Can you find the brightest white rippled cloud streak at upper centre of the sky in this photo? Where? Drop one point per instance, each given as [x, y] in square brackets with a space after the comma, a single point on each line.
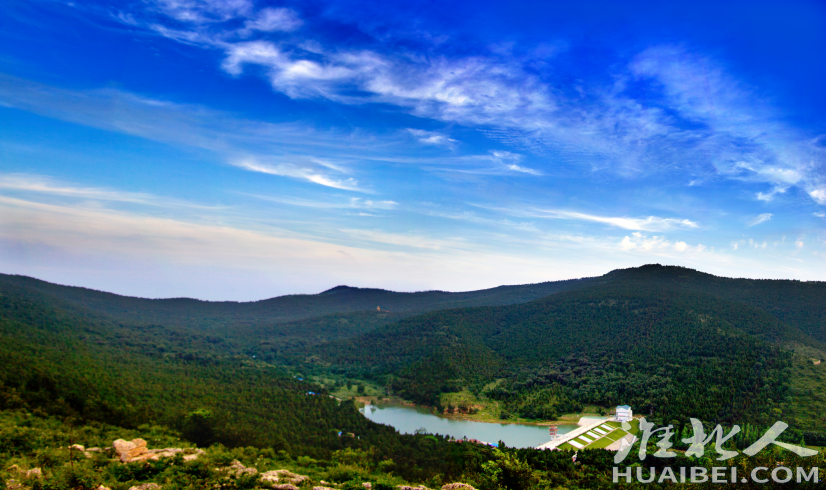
[474, 90]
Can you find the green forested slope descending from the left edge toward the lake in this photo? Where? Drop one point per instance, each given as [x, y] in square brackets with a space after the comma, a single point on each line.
[91, 372]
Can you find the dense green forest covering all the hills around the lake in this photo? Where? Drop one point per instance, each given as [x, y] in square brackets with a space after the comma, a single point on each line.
[671, 342]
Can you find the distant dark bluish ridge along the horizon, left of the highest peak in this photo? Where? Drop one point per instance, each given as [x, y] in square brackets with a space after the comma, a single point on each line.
[227, 314]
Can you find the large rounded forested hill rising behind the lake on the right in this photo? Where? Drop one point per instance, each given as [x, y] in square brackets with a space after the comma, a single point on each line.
[640, 336]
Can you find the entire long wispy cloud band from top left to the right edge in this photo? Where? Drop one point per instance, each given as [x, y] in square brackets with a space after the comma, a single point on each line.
[695, 118]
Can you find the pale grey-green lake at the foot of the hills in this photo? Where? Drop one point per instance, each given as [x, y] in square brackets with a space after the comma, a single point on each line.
[408, 420]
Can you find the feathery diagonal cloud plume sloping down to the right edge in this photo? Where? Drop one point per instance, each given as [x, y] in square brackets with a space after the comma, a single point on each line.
[746, 137]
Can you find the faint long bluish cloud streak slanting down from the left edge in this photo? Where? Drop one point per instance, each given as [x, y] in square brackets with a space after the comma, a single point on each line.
[244, 143]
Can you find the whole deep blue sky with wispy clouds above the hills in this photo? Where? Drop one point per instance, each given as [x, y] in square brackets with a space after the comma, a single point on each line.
[241, 149]
